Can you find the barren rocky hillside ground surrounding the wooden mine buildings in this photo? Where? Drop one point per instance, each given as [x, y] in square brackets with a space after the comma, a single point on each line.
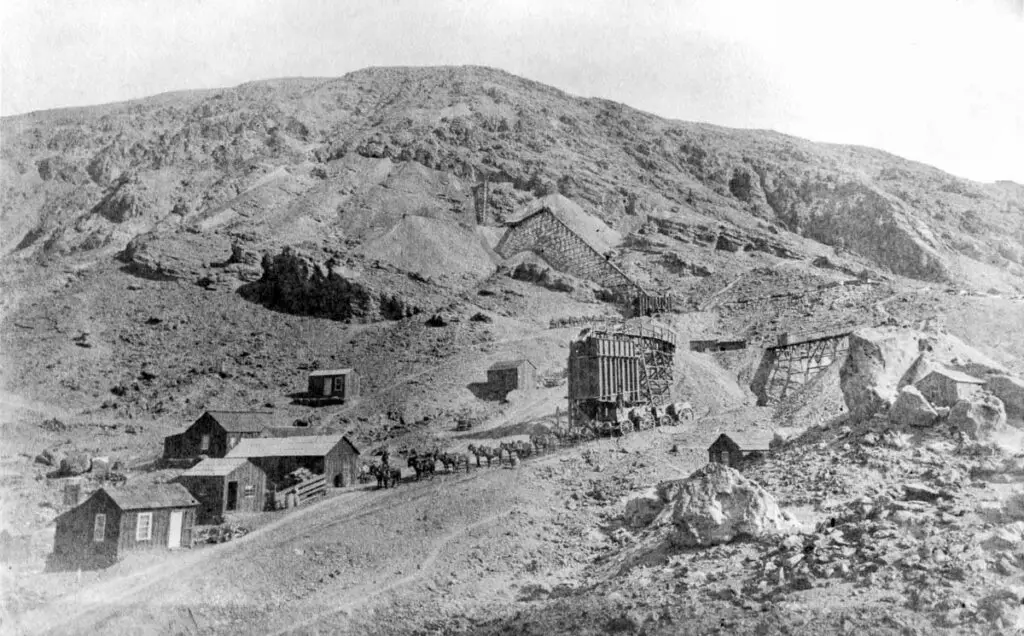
[208, 249]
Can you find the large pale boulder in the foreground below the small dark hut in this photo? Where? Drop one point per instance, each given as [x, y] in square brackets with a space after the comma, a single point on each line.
[718, 504]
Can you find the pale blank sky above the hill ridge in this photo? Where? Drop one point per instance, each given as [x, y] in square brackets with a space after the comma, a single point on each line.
[937, 81]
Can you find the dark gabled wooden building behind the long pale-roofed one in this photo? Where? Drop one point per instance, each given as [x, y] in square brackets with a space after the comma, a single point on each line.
[217, 433]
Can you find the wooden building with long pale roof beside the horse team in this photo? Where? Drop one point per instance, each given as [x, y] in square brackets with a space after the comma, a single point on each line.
[332, 456]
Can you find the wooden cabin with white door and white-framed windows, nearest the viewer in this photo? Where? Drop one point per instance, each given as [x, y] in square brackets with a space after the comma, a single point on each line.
[115, 522]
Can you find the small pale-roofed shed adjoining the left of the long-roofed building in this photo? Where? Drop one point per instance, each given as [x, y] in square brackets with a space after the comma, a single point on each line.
[226, 485]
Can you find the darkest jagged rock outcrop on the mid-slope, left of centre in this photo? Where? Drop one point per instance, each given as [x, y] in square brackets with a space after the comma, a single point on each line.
[297, 283]
